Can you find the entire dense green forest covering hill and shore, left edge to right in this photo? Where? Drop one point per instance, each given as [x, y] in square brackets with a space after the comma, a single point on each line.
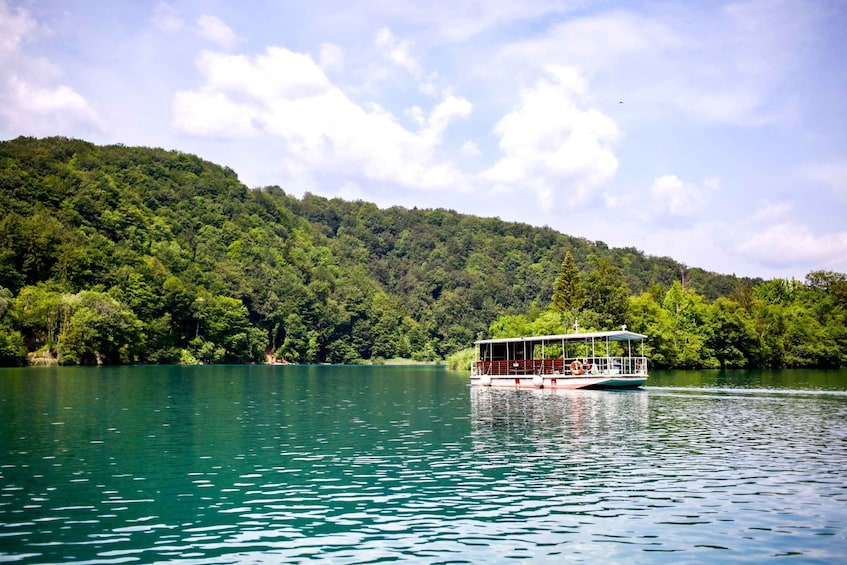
[123, 255]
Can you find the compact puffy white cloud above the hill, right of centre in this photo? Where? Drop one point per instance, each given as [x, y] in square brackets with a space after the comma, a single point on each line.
[552, 143]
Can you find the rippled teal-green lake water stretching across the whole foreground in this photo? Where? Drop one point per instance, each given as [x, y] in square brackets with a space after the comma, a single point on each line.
[223, 464]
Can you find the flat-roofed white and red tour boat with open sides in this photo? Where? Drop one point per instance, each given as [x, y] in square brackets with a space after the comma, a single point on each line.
[612, 359]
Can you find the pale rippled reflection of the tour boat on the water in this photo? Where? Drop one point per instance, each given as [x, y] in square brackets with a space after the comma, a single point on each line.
[551, 433]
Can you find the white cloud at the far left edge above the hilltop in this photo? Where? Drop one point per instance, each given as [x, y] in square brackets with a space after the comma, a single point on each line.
[31, 99]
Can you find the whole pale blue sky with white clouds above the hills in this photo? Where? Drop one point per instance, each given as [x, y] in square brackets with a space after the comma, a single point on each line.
[711, 132]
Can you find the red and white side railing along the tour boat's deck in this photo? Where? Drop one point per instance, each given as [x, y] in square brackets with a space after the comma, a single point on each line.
[568, 367]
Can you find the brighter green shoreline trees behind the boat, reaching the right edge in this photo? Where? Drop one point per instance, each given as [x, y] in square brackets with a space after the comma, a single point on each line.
[775, 323]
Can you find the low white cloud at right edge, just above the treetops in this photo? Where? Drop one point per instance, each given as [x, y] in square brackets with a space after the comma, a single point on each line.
[781, 241]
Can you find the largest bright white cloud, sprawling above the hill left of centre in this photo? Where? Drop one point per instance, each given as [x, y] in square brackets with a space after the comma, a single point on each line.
[287, 96]
